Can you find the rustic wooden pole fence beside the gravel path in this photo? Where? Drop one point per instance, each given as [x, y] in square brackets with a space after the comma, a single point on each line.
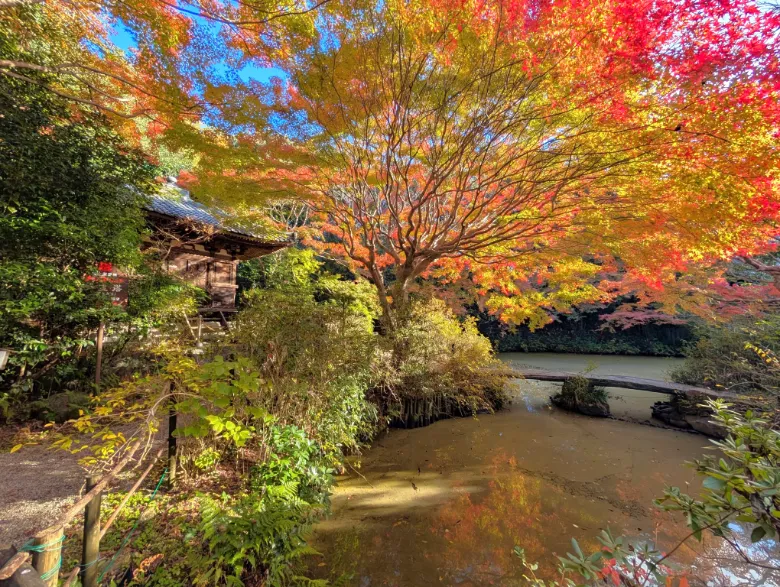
[45, 547]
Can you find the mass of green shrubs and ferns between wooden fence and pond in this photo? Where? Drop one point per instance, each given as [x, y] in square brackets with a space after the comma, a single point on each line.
[267, 418]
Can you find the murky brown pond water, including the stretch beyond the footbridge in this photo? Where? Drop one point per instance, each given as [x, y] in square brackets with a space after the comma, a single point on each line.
[446, 504]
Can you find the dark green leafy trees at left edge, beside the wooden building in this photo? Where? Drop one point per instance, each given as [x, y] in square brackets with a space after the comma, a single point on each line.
[71, 197]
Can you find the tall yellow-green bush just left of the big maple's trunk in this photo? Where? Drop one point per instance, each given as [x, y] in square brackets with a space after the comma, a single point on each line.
[312, 337]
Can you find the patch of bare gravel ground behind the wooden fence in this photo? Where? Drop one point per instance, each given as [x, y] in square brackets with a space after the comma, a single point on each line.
[38, 483]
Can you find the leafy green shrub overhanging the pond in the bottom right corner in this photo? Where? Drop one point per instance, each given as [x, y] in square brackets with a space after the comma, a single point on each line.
[740, 484]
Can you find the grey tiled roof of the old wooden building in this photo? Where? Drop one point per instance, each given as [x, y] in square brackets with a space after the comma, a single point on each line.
[176, 202]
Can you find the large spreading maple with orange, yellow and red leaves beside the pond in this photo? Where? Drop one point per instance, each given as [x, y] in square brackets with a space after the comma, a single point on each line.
[543, 153]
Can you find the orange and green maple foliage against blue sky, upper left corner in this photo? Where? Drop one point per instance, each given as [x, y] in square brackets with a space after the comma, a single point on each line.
[180, 63]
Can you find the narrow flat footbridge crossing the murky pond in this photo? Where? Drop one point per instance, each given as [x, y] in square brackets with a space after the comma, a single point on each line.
[642, 383]
